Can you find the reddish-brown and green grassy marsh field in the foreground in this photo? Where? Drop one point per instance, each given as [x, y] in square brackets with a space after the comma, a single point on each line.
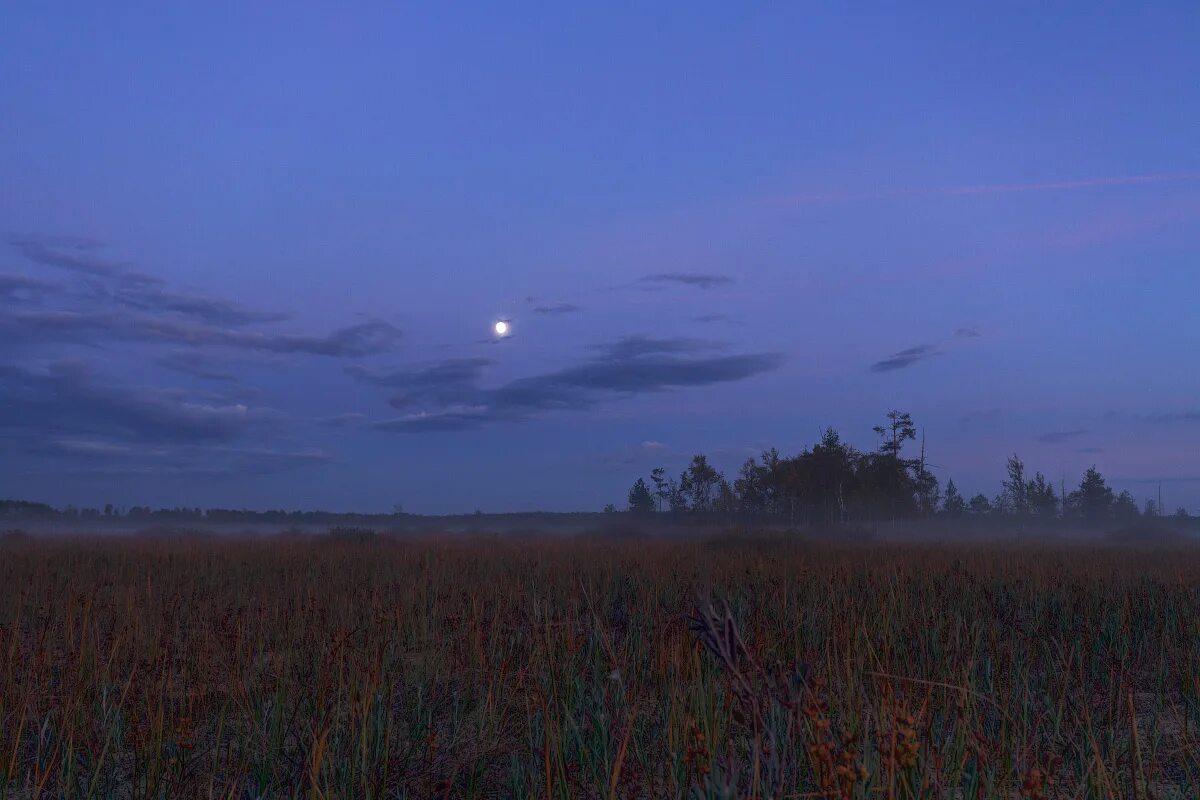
[509, 667]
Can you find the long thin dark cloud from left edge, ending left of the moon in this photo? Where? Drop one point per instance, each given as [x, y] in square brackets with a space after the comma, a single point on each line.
[87, 327]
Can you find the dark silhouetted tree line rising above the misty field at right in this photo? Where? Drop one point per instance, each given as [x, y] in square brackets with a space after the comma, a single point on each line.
[833, 484]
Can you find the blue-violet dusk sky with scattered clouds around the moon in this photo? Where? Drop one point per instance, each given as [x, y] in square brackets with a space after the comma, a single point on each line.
[253, 254]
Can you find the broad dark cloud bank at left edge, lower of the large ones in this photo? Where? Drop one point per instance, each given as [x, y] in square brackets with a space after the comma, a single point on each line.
[68, 400]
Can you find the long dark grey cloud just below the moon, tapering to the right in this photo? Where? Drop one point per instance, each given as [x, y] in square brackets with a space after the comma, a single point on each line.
[629, 366]
